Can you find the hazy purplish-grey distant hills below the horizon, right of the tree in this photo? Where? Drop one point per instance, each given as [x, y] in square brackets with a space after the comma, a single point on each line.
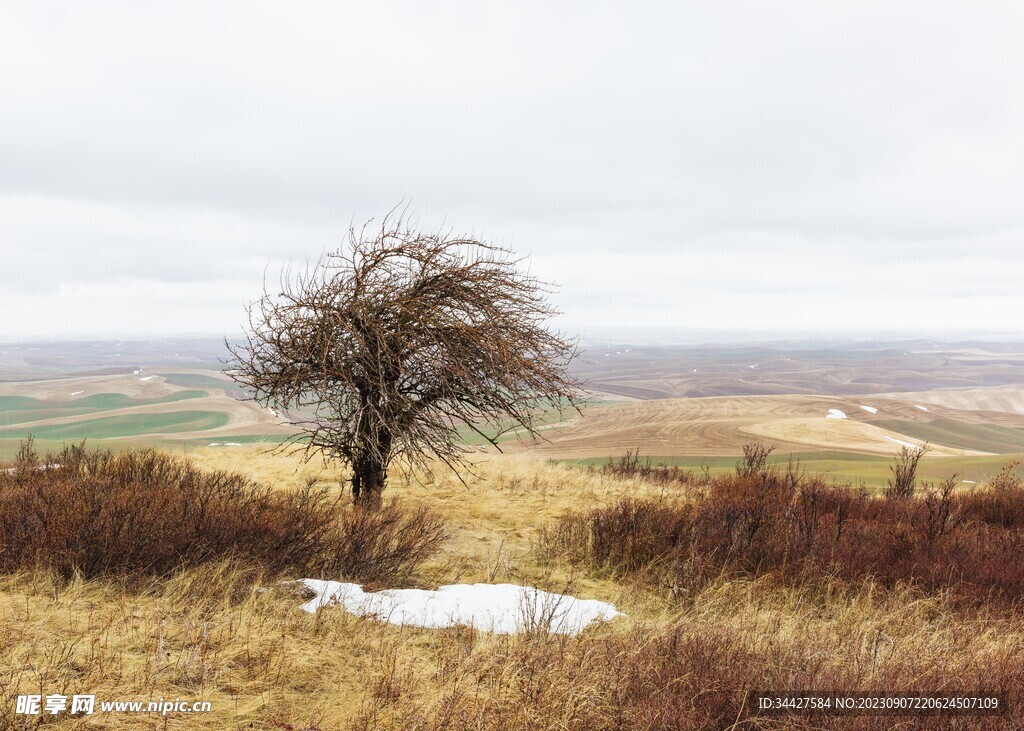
[664, 370]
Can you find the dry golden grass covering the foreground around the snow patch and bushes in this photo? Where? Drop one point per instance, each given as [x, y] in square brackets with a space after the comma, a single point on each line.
[212, 633]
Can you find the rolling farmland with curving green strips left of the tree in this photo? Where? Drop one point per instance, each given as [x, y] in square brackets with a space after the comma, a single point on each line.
[165, 395]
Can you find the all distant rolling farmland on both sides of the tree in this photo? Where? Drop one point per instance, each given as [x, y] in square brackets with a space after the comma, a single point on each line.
[841, 409]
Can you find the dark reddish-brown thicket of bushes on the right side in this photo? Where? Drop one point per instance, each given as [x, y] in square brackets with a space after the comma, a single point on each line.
[766, 521]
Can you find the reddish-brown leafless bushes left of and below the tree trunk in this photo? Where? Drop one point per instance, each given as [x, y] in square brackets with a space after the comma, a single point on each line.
[136, 513]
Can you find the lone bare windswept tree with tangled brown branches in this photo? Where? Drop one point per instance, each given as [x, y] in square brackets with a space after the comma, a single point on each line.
[390, 349]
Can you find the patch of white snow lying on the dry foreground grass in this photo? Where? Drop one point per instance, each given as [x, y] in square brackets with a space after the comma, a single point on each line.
[502, 609]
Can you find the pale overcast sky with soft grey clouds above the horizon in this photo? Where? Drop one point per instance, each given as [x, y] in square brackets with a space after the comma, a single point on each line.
[722, 166]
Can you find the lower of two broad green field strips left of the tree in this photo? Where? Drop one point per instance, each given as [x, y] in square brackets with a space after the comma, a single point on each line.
[124, 425]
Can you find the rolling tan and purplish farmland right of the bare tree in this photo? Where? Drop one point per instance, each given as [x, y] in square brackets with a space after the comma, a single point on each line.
[843, 411]
